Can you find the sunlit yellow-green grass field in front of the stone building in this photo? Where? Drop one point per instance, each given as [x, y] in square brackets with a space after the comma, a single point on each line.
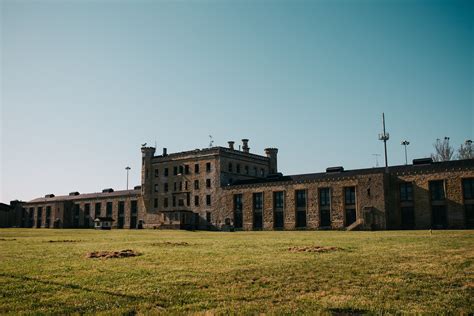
[243, 272]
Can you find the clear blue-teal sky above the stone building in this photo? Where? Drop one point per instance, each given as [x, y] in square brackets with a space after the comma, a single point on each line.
[84, 83]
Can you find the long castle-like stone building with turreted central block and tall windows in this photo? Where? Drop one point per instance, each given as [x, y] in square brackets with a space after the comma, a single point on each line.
[221, 187]
